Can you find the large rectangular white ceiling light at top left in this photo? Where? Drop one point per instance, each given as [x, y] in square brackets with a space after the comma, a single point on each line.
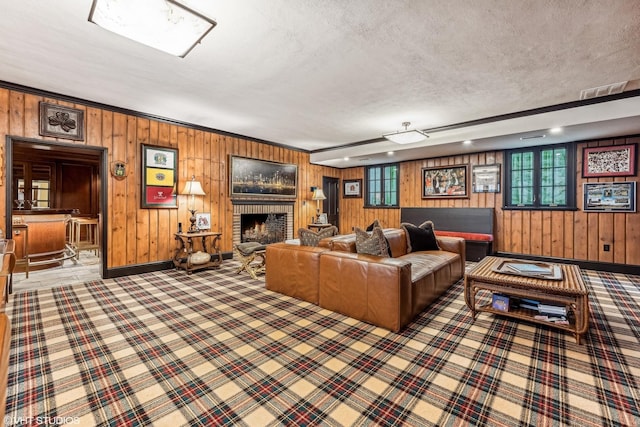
[165, 25]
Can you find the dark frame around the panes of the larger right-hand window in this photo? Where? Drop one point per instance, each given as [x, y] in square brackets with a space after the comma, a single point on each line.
[570, 184]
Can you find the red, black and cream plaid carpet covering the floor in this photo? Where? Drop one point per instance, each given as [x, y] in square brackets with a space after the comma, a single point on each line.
[213, 348]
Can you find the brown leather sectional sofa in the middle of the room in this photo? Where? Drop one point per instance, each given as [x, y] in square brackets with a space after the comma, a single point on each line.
[387, 292]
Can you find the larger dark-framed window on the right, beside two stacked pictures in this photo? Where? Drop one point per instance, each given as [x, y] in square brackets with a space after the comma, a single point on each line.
[540, 178]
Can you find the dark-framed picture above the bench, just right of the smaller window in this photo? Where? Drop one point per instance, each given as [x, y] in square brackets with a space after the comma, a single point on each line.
[445, 182]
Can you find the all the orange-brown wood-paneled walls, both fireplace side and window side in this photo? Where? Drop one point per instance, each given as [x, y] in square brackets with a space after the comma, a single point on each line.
[138, 236]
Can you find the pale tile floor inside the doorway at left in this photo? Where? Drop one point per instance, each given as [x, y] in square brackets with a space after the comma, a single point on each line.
[87, 268]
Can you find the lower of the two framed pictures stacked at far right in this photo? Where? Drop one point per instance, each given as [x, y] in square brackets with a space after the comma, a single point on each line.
[610, 197]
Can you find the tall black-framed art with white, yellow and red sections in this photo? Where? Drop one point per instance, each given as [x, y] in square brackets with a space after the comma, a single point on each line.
[159, 177]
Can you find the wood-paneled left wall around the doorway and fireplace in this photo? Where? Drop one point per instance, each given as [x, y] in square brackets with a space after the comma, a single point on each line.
[138, 236]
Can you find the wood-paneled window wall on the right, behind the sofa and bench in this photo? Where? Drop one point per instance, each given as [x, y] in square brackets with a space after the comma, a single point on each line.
[560, 234]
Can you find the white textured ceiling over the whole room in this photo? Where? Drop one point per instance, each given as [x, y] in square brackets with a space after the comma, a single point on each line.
[323, 74]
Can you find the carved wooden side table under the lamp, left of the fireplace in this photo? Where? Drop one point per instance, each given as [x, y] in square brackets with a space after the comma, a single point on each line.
[209, 243]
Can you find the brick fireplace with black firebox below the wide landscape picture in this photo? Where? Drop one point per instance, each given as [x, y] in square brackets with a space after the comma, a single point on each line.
[255, 214]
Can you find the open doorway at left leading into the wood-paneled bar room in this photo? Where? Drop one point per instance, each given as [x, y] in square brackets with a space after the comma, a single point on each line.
[46, 180]
